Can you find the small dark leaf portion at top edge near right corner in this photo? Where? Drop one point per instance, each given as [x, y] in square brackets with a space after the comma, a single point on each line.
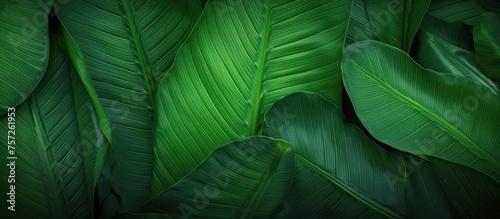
[455, 11]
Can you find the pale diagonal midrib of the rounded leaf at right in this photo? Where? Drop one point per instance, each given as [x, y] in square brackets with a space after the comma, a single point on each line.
[445, 125]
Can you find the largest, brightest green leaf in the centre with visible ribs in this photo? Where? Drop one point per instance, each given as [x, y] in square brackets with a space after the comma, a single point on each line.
[240, 58]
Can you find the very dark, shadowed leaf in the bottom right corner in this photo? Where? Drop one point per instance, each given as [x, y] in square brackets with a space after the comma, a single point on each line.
[473, 194]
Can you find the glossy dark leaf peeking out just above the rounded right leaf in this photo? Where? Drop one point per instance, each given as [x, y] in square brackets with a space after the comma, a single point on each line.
[437, 54]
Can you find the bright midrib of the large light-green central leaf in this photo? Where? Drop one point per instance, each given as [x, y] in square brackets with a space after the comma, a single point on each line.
[256, 93]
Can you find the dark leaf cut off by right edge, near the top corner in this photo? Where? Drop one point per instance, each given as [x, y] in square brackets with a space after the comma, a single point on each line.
[487, 43]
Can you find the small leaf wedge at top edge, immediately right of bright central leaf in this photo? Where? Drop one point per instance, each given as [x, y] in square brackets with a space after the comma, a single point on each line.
[359, 25]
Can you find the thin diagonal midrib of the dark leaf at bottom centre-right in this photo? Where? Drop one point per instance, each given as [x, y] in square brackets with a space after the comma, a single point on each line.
[370, 203]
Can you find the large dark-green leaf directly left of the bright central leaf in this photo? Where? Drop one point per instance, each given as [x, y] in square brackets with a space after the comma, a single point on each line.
[127, 47]
